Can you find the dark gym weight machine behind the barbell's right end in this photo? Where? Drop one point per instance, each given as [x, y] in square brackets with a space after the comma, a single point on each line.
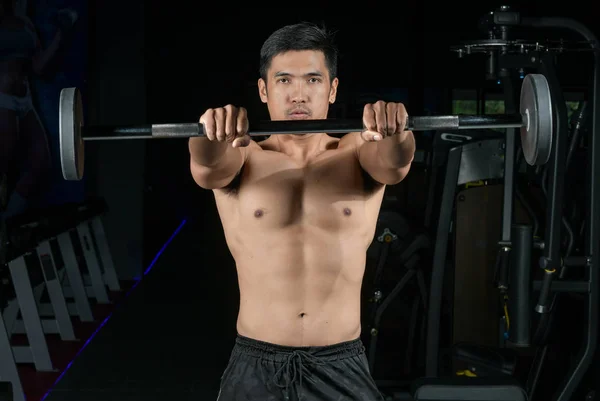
[503, 55]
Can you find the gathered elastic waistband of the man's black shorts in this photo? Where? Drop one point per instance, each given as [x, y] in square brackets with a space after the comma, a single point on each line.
[281, 353]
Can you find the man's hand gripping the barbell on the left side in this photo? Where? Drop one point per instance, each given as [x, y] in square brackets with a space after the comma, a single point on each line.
[226, 124]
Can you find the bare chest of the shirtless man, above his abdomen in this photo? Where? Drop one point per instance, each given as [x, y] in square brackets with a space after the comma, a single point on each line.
[327, 191]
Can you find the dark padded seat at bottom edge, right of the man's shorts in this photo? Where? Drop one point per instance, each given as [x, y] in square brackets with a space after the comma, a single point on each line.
[468, 389]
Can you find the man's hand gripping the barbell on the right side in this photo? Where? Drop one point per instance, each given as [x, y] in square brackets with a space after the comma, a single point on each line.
[383, 120]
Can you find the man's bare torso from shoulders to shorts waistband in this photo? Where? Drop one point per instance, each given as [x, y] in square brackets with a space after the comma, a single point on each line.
[299, 231]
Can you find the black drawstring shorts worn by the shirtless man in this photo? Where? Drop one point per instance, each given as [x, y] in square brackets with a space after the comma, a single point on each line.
[268, 372]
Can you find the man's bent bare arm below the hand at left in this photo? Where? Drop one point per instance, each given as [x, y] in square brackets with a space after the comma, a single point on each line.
[215, 164]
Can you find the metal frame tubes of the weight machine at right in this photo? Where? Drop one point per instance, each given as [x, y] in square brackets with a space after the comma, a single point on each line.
[551, 261]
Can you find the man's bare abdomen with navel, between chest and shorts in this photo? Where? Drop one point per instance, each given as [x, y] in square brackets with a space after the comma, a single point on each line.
[300, 286]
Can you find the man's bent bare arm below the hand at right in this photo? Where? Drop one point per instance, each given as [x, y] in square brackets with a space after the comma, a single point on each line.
[388, 160]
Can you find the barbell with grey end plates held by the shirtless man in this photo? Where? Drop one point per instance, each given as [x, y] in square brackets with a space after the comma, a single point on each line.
[535, 122]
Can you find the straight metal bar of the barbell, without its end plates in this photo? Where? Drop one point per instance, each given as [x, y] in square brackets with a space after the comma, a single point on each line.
[331, 126]
